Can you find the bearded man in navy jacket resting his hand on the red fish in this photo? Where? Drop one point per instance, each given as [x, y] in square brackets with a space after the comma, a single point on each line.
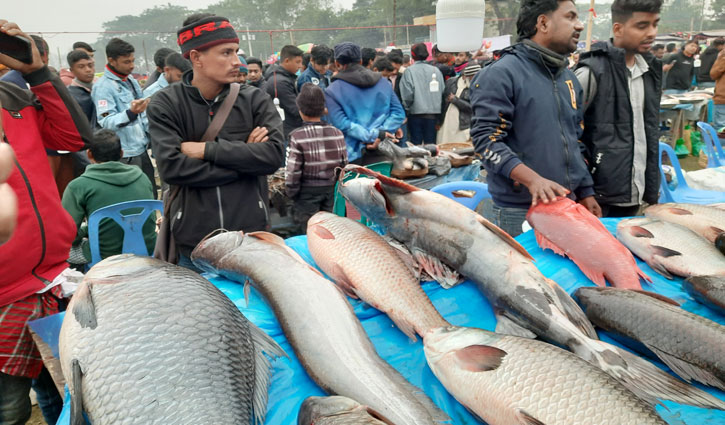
[527, 117]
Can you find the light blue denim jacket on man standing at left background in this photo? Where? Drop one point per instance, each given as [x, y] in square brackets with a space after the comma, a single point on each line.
[112, 97]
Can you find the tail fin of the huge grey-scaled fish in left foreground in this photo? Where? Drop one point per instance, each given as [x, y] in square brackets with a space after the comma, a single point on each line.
[264, 346]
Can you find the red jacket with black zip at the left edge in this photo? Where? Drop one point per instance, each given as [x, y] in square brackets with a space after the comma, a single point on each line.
[46, 117]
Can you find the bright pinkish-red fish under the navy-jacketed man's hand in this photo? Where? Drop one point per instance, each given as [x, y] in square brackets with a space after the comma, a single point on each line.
[570, 230]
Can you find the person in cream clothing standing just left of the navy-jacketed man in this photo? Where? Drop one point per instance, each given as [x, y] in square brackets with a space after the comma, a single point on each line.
[456, 127]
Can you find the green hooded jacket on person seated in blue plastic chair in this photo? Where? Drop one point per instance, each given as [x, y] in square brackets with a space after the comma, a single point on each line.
[102, 185]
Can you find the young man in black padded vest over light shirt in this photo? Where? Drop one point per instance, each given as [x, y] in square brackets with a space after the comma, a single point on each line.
[622, 82]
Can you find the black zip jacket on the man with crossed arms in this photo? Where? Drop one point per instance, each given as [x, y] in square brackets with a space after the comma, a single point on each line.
[228, 188]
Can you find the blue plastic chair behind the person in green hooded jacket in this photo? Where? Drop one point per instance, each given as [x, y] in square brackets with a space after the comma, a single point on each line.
[132, 225]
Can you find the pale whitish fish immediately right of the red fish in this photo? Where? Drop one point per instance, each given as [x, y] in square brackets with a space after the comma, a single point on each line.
[670, 248]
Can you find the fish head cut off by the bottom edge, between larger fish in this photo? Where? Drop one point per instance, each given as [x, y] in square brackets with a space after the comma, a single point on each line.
[337, 410]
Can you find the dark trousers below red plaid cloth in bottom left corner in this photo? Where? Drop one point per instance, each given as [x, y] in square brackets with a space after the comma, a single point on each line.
[15, 408]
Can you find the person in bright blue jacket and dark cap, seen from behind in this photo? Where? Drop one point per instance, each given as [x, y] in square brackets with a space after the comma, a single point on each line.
[362, 105]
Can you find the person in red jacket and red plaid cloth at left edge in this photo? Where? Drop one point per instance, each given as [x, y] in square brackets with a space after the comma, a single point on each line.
[46, 116]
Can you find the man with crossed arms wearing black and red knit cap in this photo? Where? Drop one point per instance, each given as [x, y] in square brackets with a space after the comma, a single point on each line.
[221, 183]
